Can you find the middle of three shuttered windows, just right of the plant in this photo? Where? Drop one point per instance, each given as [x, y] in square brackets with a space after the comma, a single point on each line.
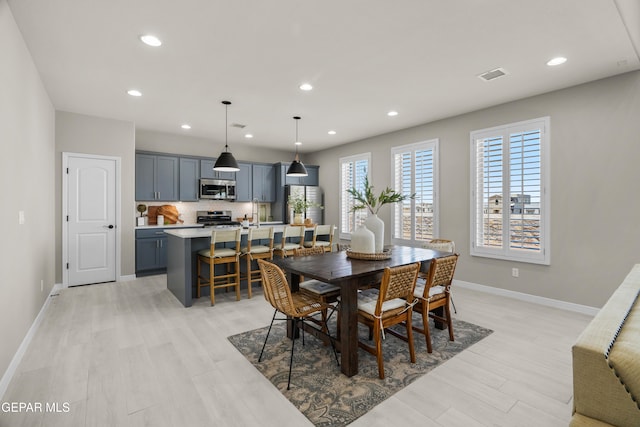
[414, 170]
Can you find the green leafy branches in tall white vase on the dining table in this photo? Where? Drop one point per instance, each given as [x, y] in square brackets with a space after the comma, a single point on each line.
[366, 199]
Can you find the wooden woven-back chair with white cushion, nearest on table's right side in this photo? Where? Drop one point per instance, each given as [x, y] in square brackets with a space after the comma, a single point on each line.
[390, 305]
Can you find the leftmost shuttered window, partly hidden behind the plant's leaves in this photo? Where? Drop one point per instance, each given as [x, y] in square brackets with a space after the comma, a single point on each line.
[353, 169]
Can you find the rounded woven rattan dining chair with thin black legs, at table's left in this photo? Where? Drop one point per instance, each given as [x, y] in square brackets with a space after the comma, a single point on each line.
[297, 306]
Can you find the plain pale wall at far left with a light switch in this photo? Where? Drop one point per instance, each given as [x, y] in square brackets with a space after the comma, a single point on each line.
[26, 169]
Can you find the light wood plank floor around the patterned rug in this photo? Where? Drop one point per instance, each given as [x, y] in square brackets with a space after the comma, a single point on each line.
[128, 354]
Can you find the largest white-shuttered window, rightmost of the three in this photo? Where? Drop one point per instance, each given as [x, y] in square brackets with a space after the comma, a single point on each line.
[510, 192]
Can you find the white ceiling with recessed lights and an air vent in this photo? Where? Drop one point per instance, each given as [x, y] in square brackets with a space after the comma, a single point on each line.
[364, 58]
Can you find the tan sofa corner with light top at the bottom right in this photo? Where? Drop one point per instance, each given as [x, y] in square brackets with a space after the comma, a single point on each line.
[606, 361]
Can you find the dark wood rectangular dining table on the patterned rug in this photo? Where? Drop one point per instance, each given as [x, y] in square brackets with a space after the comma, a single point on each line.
[350, 274]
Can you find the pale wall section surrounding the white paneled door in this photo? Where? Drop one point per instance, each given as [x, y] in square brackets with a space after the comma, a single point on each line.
[78, 133]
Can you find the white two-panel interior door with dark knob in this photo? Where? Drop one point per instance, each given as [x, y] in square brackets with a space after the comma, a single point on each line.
[91, 222]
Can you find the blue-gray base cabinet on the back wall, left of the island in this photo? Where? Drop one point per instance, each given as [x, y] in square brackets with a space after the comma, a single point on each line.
[151, 251]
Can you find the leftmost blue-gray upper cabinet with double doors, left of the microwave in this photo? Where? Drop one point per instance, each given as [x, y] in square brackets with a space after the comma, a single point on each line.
[156, 177]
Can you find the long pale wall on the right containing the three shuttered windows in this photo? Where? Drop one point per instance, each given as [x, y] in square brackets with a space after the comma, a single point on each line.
[595, 149]
